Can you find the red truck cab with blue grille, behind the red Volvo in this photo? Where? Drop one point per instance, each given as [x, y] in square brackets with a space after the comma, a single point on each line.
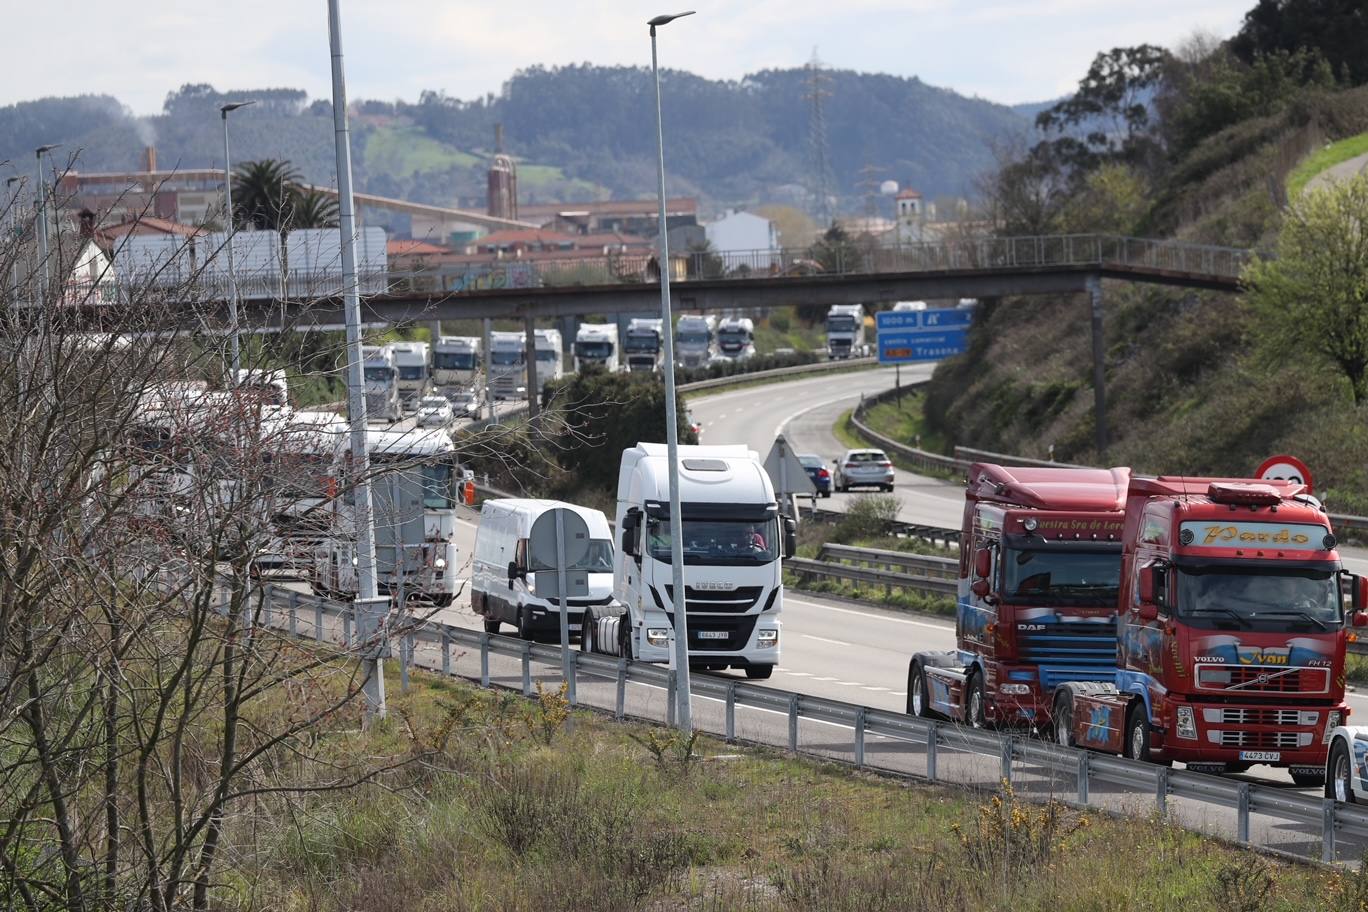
[1040, 579]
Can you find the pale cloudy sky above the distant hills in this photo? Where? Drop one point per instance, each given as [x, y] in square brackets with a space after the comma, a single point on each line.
[139, 50]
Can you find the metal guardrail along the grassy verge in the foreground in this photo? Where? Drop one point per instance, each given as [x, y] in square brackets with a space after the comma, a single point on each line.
[1017, 760]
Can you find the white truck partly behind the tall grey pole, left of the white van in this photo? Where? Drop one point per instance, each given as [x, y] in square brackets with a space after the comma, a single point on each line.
[415, 493]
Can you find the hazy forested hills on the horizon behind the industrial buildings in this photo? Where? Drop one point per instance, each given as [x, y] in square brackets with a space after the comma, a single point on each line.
[577, 131]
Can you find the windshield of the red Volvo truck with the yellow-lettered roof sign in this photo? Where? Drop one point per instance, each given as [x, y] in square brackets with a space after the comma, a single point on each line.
[1263, 598]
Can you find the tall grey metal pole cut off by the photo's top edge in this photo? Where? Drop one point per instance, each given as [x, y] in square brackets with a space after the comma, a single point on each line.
[370, 621]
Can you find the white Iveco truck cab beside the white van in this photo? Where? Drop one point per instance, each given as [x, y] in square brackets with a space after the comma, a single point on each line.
[734, 544]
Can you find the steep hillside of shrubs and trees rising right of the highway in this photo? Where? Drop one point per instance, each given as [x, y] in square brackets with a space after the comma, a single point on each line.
[1196, 382]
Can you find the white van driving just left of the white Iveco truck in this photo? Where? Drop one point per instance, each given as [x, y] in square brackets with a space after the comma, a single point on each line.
[503, 585]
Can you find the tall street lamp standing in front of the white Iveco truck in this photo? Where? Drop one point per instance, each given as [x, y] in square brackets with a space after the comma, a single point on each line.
[683, 717]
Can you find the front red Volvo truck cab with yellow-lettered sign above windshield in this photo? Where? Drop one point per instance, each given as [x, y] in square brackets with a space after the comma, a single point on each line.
[1232, 649]
